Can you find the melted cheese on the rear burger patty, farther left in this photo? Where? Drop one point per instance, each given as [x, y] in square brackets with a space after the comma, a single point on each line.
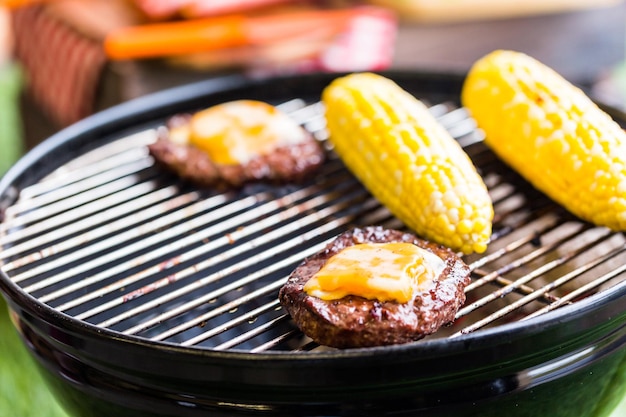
[237, 131]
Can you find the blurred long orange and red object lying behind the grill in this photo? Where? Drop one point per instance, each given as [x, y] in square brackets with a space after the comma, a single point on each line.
[359, 38]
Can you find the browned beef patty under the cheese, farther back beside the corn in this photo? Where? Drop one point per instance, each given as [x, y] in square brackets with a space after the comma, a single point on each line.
[285, 164]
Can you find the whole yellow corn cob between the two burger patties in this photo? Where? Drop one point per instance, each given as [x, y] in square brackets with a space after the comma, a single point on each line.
[408, 161]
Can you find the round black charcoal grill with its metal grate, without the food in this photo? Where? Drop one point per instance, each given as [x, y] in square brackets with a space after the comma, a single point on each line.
[142, 295]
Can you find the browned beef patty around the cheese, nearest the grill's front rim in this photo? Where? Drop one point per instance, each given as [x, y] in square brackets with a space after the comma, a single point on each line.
[354, 321]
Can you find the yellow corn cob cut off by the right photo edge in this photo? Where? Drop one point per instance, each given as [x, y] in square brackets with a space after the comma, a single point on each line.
[552, 134]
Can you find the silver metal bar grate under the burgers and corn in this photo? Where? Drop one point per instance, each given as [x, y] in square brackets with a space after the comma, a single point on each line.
[111, 239]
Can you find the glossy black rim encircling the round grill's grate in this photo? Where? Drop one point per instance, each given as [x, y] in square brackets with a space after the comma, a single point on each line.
[154, 109]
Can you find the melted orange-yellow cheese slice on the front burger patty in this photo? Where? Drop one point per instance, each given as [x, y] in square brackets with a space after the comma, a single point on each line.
[376, 271]
